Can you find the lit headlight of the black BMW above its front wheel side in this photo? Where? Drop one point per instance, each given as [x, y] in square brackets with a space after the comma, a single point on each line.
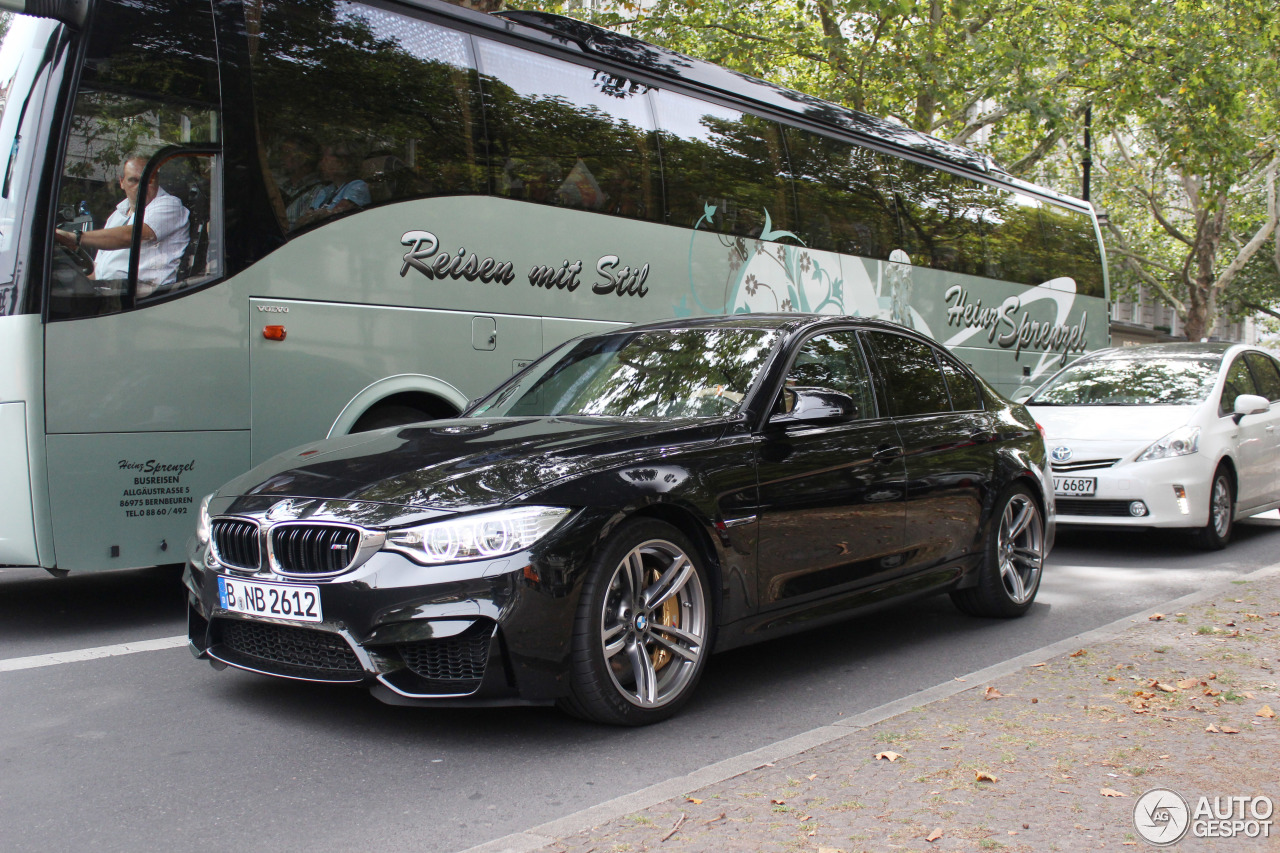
[476, 537]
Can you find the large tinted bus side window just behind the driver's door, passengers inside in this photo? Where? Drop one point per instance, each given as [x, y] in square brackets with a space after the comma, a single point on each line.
[359, 106]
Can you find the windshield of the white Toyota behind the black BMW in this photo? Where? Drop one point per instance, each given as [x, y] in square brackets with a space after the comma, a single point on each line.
[1131, 382]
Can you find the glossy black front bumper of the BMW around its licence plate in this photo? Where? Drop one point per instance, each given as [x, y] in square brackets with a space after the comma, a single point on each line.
[492, 632]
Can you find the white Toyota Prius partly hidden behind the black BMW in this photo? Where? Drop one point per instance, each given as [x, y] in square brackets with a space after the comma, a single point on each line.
[1164, 436]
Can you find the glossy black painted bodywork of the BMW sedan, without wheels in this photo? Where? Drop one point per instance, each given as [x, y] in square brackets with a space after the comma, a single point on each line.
[798, 524]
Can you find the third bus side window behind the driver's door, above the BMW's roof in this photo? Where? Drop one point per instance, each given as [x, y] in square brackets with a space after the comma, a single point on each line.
[724, 171]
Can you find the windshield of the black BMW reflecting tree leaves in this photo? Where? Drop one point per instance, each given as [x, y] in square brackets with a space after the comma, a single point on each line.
[670, 373]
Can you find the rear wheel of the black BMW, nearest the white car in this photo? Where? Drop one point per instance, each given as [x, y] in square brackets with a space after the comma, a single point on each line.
[1013, 560]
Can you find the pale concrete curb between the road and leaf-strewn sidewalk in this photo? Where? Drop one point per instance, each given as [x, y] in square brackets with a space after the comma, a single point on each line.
[545, 834]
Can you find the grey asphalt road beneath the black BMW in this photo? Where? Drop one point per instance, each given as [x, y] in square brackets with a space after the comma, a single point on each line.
[156, 751]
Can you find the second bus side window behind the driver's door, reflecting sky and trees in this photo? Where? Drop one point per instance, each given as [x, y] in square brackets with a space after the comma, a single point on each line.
[569, 135]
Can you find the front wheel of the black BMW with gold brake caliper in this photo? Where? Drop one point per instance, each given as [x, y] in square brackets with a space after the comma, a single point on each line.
[643, 628]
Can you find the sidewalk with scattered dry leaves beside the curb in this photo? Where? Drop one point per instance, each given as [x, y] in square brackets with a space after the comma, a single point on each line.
[1053, 755]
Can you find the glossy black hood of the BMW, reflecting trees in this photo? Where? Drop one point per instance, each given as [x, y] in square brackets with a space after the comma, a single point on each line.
[461, 464]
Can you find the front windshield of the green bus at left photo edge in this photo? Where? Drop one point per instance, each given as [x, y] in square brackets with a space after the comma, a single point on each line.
[26, 54]
